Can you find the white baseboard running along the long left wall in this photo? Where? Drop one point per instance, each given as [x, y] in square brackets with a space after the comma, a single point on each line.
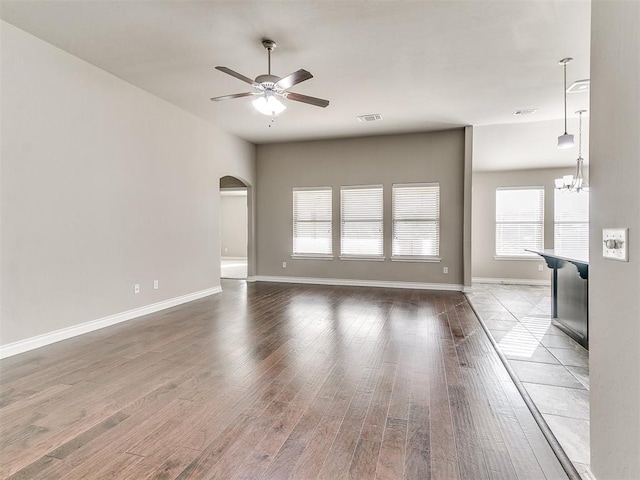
[38, 341]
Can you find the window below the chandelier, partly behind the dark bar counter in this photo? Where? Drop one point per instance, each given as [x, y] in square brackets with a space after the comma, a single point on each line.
[571, 217]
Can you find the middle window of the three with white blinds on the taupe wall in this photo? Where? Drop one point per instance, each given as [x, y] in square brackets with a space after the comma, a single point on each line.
[361, 217]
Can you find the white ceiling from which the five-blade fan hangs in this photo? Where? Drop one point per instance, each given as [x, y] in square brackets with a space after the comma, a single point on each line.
[423, 65]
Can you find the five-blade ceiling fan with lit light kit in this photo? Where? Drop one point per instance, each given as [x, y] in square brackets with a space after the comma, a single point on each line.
[268, 87]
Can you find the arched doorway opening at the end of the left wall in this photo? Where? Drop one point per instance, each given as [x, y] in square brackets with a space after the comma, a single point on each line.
[233, 228]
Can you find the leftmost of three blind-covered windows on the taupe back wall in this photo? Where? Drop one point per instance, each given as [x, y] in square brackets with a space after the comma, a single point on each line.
[312, 234]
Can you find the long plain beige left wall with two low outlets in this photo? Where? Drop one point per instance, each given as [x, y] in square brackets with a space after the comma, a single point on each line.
[103, 186]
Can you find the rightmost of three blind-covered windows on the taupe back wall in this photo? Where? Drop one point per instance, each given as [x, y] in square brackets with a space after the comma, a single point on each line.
[416, 220]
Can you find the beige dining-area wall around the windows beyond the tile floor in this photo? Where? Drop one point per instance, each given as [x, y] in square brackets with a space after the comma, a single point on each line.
[483, 240]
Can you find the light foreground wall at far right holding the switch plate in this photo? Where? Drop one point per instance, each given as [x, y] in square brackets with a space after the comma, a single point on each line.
[614, 300]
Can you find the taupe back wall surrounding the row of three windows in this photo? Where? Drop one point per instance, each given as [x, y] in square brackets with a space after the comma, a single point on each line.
[427, 157]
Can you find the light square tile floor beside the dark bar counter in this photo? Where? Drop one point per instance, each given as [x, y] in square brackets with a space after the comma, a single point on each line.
[553, 367]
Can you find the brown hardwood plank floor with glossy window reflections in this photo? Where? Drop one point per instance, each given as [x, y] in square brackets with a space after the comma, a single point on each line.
[274, 381]
